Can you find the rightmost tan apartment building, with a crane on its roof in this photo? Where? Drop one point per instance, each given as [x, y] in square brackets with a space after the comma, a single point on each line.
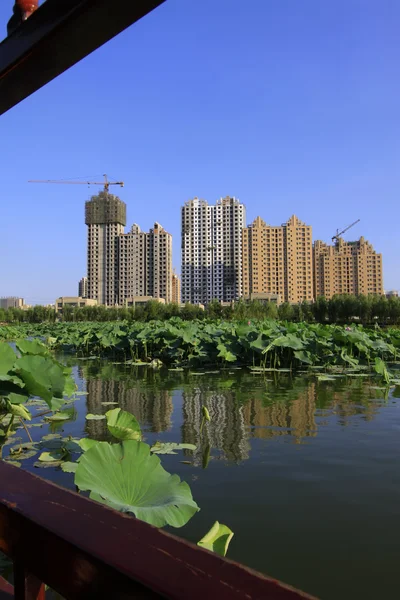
[347, 268]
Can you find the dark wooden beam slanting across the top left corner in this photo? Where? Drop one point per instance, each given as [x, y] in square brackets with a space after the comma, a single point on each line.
[58, 35]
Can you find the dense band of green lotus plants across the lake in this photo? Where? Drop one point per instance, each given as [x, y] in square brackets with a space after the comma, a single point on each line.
[200, 343]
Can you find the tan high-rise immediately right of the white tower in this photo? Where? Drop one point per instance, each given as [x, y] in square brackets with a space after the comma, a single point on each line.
[278, 260]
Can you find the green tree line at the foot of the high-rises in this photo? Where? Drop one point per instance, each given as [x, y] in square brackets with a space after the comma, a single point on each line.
[339, 309]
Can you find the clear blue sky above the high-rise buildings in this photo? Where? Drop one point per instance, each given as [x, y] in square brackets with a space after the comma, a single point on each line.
[291, 106]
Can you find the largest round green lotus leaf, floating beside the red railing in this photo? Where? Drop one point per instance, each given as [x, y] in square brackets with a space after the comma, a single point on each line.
[129, 478]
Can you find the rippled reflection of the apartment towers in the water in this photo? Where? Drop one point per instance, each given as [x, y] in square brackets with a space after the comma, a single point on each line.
[248, 409]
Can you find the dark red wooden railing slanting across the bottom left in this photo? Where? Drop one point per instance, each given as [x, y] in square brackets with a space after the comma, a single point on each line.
[84, 550]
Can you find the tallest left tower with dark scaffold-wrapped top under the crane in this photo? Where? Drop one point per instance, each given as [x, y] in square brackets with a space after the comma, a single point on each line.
[105, 216]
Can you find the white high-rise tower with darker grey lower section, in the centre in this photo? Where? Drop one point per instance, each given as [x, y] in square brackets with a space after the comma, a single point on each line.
[212, 250]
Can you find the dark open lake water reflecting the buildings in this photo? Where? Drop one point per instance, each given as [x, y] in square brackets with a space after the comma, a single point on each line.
[305, 472]
